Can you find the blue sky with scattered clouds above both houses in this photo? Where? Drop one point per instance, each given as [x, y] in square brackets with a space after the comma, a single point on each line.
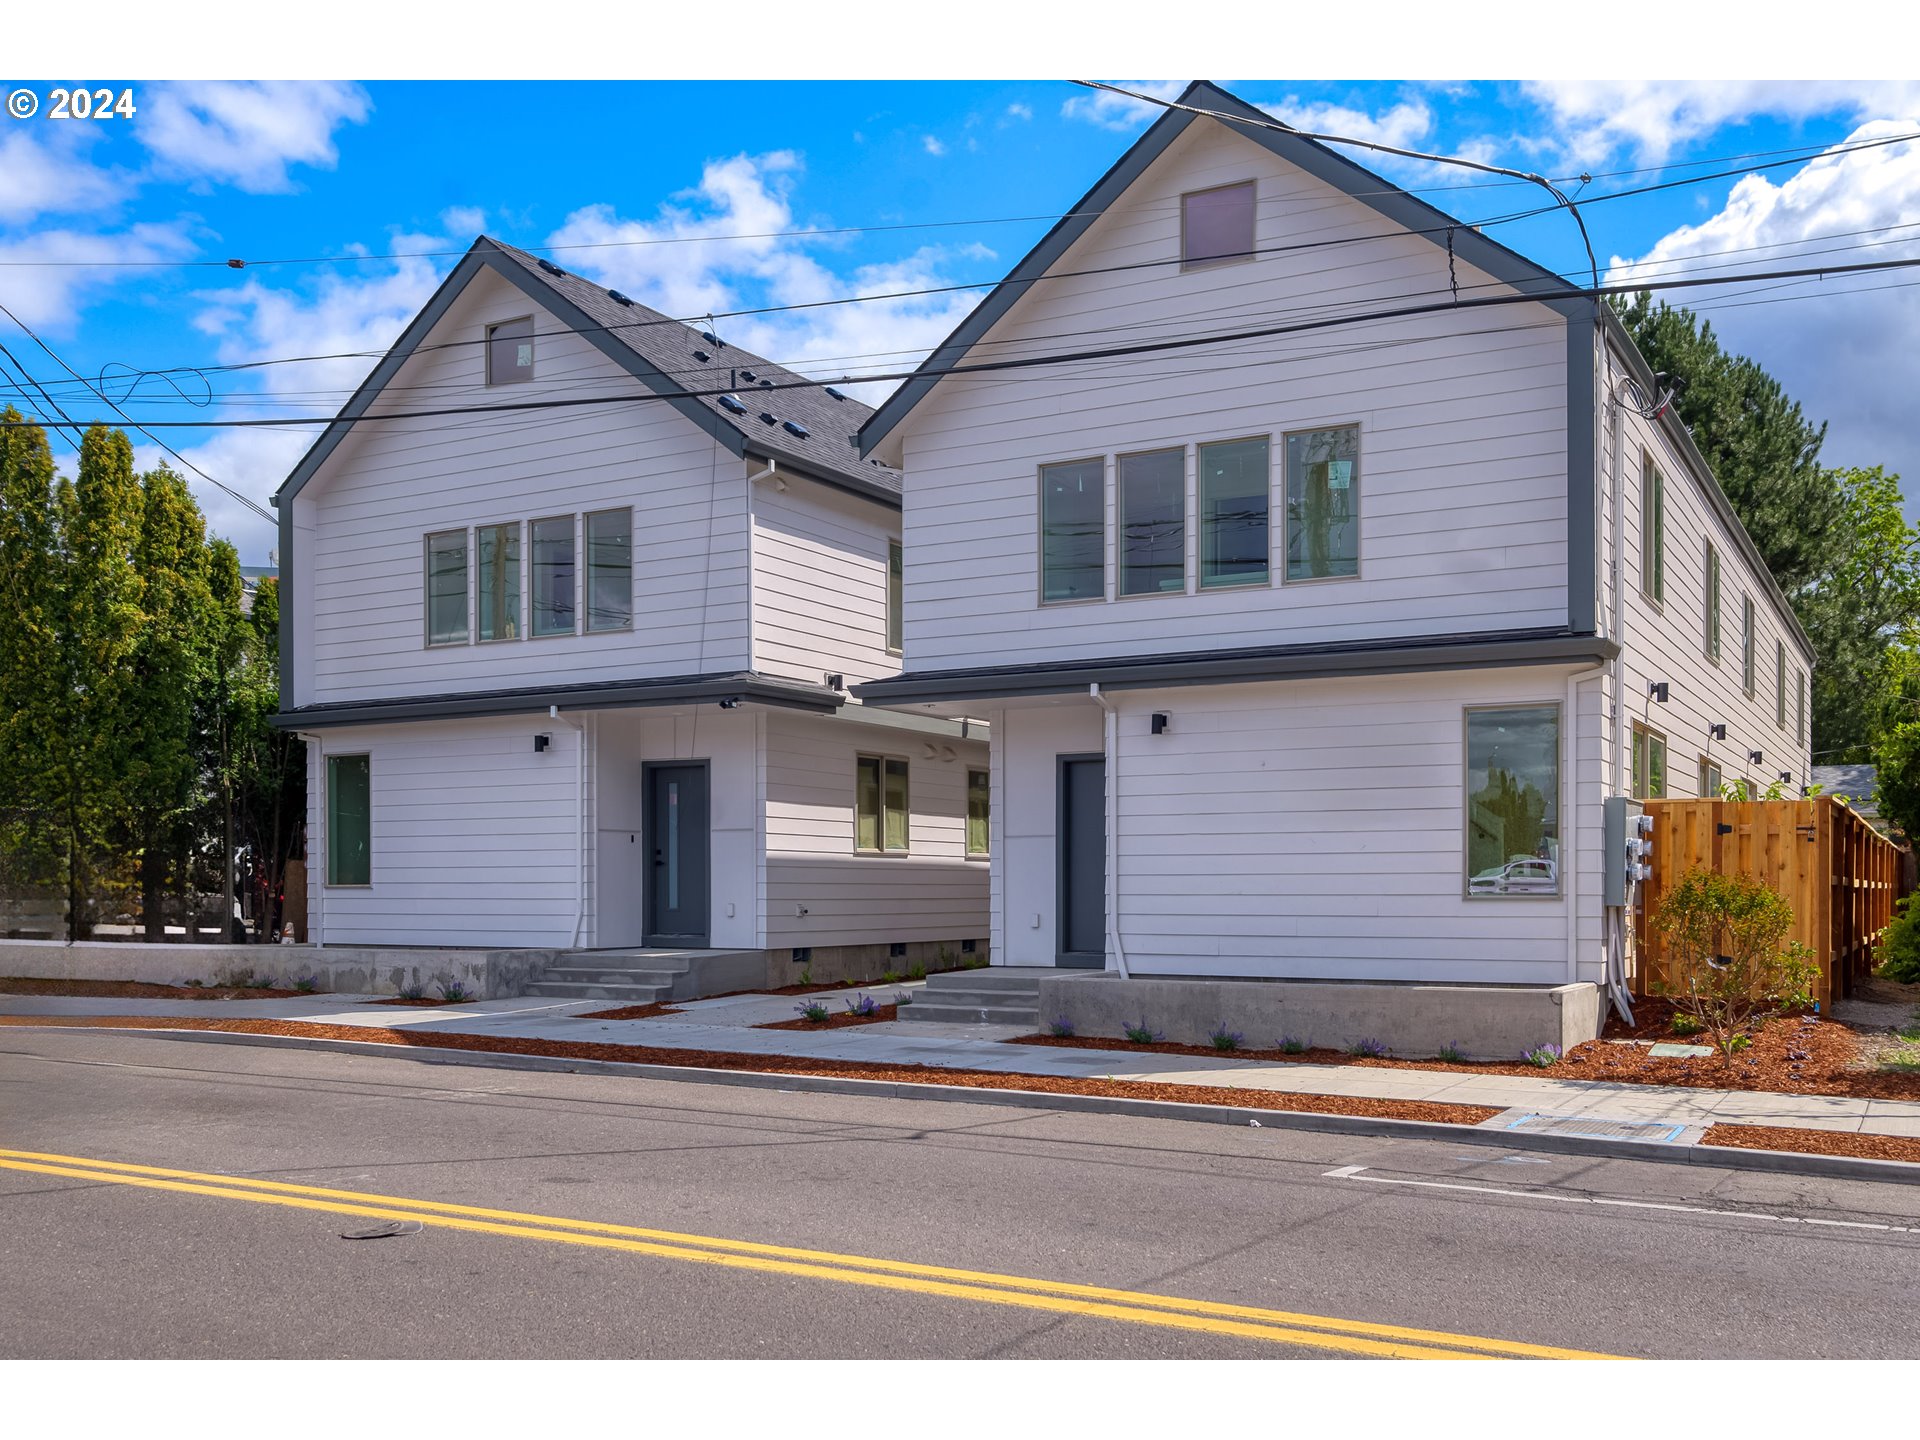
[942, 181]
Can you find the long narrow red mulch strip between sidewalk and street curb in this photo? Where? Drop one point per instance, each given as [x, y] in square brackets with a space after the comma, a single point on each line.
[646, 1055]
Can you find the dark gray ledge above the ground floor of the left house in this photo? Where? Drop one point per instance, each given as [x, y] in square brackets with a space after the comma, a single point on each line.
[744, 686]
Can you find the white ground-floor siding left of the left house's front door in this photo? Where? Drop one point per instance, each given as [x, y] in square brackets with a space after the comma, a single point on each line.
[475, 836]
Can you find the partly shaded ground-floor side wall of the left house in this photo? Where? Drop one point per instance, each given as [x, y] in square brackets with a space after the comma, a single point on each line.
[930, 894]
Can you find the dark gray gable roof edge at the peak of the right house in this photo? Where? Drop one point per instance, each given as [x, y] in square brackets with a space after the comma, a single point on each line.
[1506, 266]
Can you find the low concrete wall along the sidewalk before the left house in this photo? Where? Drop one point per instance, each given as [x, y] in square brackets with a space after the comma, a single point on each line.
[335, 971]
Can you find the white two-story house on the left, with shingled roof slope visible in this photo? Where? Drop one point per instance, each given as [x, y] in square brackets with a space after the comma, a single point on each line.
[573, 602]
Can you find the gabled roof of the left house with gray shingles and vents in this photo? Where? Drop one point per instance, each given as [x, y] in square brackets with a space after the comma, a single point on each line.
[660, 352]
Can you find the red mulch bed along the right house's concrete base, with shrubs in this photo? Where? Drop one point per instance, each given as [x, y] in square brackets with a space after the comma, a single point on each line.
[1794, 1055]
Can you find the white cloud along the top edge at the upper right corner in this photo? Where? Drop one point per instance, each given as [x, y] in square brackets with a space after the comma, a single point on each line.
[1654, 118]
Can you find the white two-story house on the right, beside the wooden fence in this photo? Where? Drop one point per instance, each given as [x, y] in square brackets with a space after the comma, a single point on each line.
[1320, 565]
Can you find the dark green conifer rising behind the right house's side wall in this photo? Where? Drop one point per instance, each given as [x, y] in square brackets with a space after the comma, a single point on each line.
[1762, 448]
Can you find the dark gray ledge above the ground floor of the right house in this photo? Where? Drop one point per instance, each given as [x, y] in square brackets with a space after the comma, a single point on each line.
[1414, 656]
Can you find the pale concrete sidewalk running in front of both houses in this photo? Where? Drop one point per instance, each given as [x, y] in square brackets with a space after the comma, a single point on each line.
[729, 1024]
